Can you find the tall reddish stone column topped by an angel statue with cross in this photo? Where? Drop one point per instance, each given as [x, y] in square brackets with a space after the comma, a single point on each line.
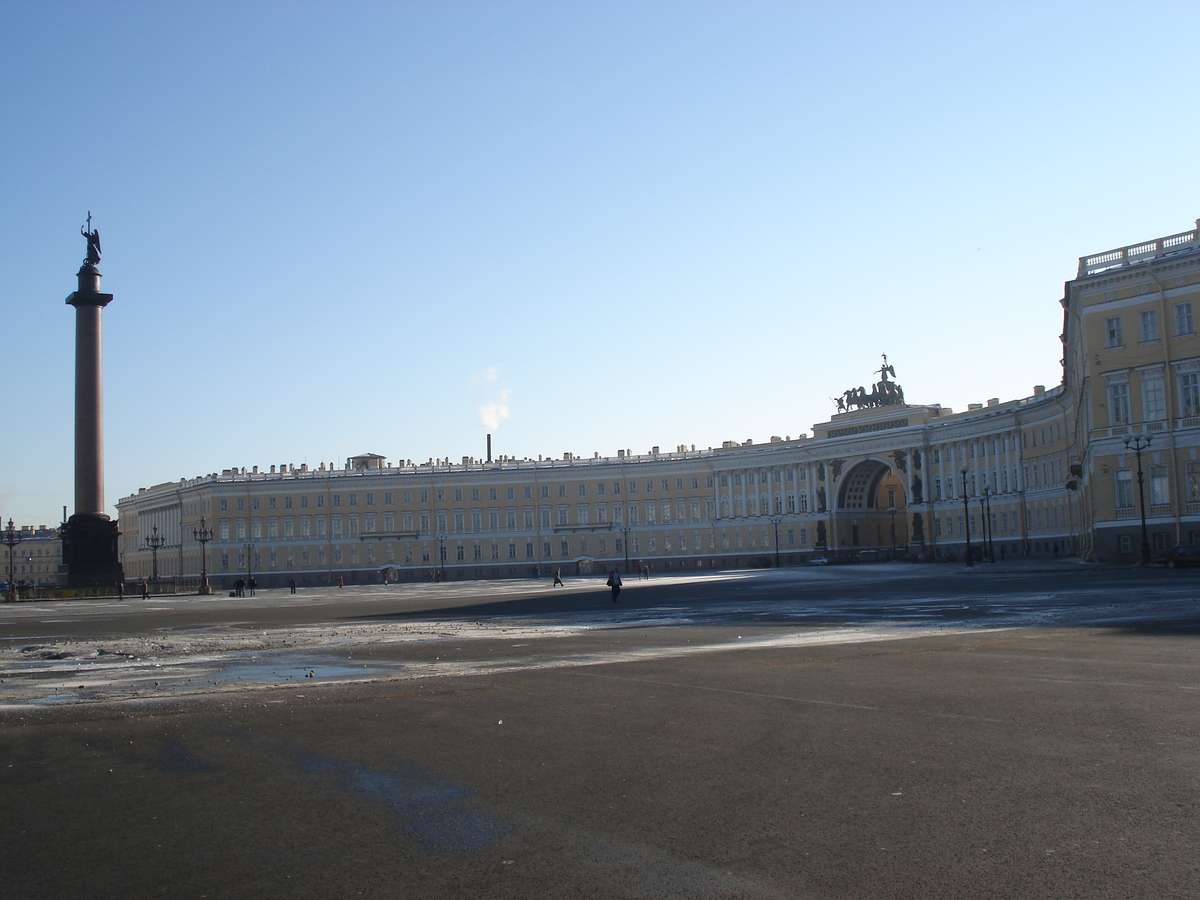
[89, 537]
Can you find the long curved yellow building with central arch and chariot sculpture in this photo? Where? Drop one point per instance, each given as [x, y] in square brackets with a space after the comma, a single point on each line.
[1043, 476]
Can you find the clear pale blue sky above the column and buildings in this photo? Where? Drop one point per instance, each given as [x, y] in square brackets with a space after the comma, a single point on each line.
[335, 229]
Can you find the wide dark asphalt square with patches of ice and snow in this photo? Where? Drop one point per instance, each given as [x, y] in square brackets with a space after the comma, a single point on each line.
[850, 733]
